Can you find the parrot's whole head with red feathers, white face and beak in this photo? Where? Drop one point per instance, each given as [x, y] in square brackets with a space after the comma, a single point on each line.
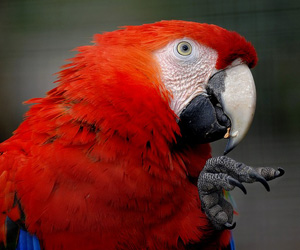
[191, 80]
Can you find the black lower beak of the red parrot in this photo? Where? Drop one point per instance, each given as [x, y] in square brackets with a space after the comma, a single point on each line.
[203, 121]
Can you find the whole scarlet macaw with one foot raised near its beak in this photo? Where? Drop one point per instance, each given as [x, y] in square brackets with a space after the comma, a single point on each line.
[117, 155]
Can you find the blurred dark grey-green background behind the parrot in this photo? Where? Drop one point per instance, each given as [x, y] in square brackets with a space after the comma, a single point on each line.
[37, 36]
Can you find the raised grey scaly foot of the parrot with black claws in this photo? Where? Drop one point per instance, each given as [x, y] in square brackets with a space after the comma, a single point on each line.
[221, 173]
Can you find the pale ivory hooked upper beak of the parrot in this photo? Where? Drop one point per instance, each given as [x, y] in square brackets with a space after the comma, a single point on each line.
[234, 89]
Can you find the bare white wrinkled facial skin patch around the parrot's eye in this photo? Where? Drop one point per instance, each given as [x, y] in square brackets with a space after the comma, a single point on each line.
[185, 76]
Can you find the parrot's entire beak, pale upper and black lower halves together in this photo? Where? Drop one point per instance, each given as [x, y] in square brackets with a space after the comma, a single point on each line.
[225, 111]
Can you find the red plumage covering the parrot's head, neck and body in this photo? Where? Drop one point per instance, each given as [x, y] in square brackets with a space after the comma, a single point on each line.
[94, 166]
